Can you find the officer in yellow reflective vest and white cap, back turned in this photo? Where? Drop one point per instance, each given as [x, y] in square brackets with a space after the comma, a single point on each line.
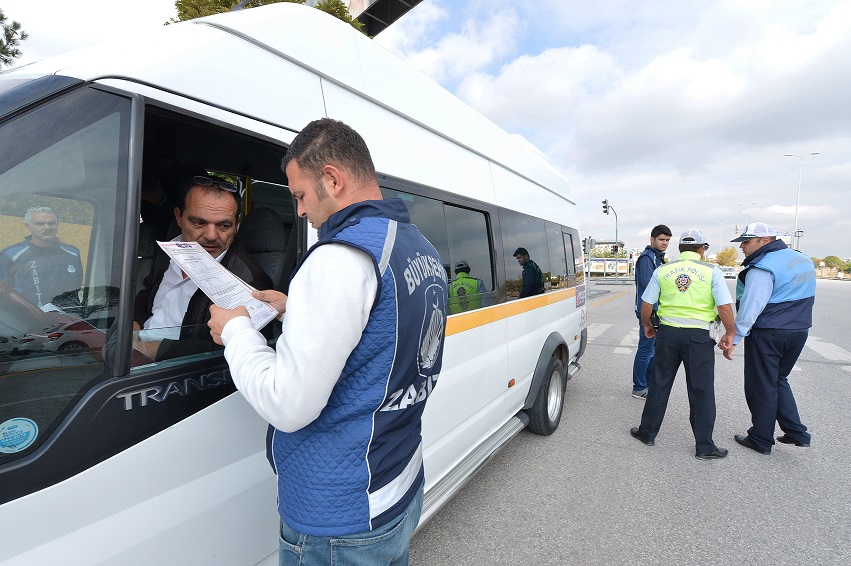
[688, 292]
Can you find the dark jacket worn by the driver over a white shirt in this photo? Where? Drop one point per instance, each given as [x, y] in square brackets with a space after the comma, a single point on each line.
[194, 333]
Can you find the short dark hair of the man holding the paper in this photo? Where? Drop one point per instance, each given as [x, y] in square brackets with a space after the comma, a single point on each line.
[326, 141]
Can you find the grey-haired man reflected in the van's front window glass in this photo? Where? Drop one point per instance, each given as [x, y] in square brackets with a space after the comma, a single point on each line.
[41, 267]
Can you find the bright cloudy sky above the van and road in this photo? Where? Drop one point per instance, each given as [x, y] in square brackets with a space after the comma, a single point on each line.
[676, 112]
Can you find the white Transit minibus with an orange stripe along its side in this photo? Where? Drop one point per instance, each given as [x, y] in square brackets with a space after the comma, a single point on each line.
[109, 456]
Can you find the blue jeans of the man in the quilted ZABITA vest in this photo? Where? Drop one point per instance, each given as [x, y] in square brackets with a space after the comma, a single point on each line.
[387, 545]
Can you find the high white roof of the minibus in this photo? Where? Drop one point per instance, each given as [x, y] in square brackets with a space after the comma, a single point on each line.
[171, 58]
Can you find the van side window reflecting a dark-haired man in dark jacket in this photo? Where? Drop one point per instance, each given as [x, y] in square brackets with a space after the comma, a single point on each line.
[527, 232]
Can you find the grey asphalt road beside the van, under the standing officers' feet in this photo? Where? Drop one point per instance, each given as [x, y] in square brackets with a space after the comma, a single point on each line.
[590, 494]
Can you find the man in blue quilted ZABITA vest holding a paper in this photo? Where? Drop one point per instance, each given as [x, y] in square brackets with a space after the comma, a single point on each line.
[359, 354]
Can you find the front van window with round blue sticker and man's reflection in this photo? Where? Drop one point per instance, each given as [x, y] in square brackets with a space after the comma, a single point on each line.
[63, 172]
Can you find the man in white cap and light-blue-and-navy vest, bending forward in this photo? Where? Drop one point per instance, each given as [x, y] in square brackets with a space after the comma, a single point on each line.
[775, 293]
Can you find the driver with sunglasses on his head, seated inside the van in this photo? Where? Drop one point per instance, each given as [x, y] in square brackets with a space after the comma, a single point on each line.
[170, 311]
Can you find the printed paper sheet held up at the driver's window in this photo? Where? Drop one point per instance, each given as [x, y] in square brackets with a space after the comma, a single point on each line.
[223, 287]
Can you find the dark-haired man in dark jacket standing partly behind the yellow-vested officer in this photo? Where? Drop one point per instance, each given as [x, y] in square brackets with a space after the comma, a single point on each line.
[652, 257]
